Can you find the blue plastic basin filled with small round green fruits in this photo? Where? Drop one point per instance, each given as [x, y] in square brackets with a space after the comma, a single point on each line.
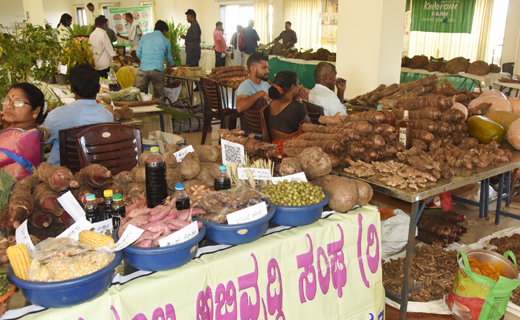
[300, 216]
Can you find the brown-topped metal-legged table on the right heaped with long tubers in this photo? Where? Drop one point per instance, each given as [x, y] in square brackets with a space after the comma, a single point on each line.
[427, 194]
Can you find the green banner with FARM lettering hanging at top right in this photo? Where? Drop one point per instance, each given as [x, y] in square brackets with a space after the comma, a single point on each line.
[444, 16]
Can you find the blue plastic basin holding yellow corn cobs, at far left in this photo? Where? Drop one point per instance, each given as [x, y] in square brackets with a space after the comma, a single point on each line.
[66, 293]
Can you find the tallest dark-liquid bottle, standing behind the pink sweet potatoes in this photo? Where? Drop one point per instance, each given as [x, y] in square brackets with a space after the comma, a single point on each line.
[156, 186]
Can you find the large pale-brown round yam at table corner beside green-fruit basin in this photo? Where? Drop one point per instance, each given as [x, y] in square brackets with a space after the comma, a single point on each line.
[343, 192]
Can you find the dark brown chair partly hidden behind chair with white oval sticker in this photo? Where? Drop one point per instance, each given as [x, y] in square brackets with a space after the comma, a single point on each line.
[69, 156]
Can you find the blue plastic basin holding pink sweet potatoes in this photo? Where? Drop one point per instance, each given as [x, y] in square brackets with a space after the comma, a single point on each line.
[162, 258]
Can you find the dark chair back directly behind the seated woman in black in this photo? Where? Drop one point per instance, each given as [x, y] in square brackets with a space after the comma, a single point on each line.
[254, 120]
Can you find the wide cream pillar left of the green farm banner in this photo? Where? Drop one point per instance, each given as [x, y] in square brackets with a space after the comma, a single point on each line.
[369, 43]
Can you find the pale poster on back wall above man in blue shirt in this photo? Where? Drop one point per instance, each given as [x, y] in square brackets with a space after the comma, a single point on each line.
[141, 14]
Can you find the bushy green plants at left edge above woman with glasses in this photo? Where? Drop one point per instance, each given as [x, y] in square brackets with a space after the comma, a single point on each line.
[21, 52]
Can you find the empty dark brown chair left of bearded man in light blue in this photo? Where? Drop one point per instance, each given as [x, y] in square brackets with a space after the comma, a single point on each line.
[214, 109]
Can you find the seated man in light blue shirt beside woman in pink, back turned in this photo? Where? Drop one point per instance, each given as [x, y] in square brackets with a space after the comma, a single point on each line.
[84, 83]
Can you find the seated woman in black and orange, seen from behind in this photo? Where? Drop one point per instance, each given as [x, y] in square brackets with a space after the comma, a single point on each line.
[286, 114]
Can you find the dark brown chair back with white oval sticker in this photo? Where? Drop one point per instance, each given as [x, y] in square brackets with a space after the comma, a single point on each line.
[114, 146]
